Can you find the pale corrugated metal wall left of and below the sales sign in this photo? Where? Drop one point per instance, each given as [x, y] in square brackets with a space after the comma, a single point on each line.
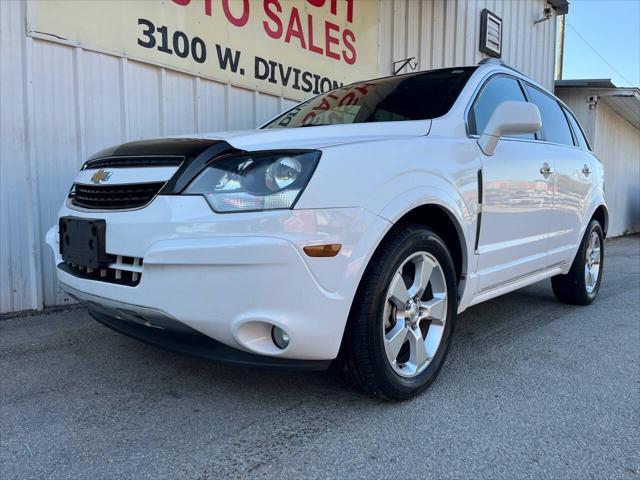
[59, 105]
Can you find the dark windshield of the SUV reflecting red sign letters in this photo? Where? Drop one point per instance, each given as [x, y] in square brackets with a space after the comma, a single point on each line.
[418, 96]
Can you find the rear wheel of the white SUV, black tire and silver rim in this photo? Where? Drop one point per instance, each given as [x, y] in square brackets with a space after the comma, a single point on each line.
[576, 287]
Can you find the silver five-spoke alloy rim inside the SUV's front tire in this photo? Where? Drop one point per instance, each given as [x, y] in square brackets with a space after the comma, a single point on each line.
[415, 314]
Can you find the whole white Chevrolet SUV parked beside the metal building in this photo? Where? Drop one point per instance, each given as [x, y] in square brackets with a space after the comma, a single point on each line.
[359, 239]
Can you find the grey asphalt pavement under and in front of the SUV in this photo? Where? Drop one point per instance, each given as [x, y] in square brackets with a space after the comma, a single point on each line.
[532, 389]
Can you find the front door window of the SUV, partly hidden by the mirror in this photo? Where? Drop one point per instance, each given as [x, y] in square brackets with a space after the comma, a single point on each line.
[499, 89]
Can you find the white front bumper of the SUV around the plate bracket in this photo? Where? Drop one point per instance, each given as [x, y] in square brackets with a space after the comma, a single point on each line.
[232, 277]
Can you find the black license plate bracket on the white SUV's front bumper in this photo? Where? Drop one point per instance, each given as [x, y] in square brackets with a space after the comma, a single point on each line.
[82, 241]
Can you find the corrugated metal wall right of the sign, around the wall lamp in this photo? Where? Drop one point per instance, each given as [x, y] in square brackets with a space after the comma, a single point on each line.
[441, 33]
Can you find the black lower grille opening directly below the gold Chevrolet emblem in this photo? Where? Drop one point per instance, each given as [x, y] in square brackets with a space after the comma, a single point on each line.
[114, 197]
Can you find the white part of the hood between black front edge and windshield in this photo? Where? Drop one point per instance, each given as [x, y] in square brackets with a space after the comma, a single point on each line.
[316, 137]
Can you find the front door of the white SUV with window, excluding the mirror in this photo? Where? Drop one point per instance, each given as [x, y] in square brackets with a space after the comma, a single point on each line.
[517, 198]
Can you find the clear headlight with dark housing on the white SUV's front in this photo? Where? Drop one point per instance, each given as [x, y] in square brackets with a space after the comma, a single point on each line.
[255, 181]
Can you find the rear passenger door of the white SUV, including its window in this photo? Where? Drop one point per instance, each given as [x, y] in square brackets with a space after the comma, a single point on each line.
[572, 181]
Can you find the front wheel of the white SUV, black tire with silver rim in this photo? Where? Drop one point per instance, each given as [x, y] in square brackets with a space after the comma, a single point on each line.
[375, 325]
